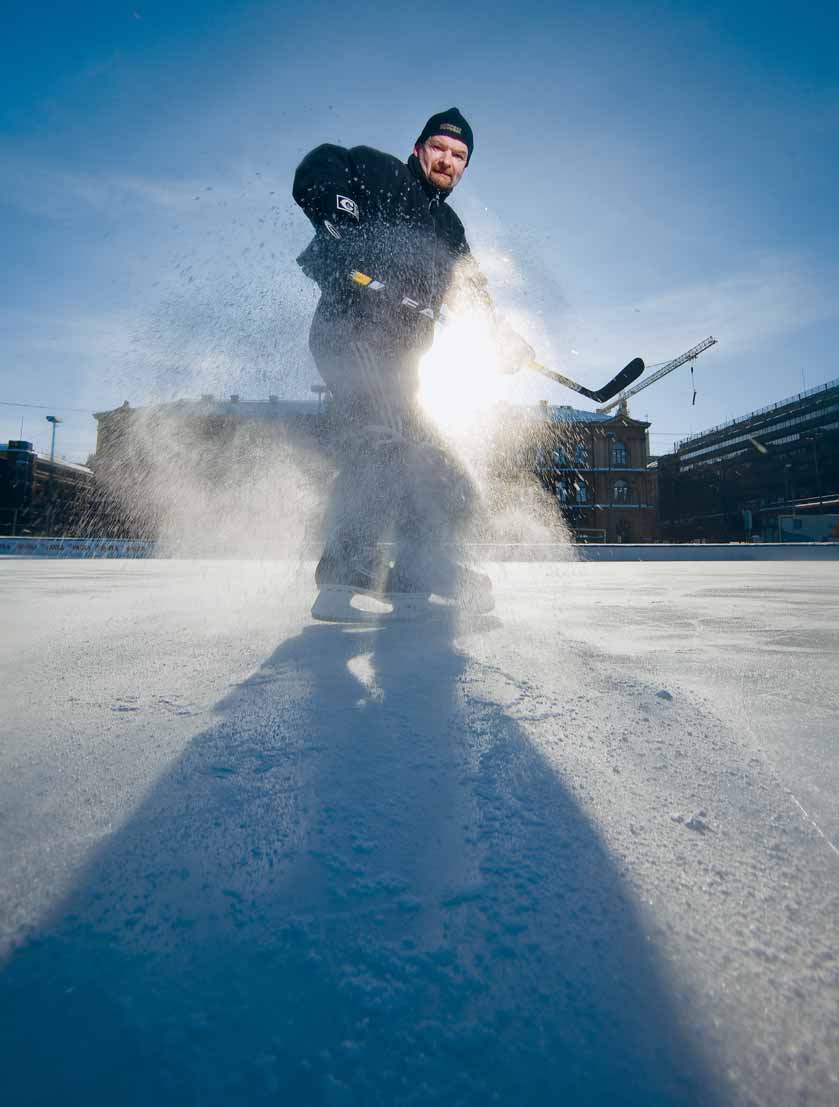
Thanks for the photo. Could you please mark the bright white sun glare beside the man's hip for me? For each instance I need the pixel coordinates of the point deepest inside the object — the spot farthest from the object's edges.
(459, 378)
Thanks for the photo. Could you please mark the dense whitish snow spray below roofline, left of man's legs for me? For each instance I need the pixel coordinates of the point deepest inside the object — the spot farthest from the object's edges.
(208, 482)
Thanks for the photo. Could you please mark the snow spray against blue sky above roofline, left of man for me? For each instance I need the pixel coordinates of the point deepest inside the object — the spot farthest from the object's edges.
(231, 309)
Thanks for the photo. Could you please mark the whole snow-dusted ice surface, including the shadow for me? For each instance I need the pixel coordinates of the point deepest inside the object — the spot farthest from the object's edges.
(583, 851)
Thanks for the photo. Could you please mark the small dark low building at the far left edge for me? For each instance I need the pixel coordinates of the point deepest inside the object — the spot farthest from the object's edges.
(38, 495)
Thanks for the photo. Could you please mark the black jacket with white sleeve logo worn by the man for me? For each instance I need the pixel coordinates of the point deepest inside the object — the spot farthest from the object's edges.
(376, 214)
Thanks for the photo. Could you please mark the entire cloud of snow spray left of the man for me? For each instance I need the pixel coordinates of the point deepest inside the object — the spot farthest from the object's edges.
(226, 315)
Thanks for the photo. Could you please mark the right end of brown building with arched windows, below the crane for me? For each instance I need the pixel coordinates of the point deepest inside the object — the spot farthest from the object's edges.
(598, 469)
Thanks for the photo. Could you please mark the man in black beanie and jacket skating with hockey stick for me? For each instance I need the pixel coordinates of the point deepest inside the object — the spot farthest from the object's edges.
(387, 253)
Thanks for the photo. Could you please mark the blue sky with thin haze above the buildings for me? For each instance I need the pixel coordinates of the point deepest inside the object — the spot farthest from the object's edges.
(645, 175)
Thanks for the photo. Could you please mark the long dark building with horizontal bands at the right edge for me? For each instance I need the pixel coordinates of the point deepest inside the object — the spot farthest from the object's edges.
(739, 480)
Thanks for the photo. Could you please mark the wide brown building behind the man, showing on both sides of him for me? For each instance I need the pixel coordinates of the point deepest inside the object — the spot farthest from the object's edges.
(152, 461)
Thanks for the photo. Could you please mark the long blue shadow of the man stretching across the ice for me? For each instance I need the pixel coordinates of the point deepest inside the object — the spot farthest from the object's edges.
(361, 886)
